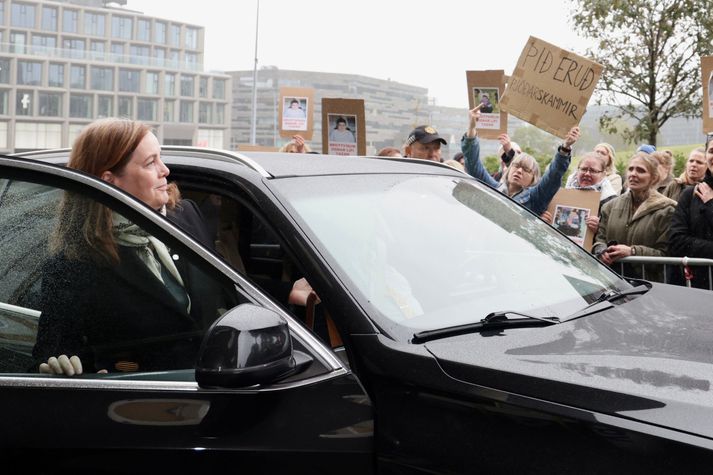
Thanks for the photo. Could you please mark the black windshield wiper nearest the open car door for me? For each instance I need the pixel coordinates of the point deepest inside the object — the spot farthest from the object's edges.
(491, 321)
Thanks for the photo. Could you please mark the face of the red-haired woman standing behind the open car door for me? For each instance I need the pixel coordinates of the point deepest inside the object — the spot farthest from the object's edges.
(144, 176)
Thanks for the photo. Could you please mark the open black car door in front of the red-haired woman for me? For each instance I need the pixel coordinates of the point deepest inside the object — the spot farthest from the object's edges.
(138, 415)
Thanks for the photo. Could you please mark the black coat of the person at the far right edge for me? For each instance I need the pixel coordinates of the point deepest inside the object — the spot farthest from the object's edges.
(691, 235)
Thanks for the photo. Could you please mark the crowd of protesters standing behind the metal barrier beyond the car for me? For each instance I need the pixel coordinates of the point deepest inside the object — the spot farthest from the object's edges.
(648, 212)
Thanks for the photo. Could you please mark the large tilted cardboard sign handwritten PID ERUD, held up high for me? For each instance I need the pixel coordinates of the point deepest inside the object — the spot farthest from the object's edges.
(550, 87)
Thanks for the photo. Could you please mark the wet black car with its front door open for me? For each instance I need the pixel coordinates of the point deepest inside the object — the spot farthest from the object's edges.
(457, 333)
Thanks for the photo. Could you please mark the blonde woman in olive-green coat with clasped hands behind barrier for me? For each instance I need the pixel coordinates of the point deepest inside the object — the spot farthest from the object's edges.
(636, 223)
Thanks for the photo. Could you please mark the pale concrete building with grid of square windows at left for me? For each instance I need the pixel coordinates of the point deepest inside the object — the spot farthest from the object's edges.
(66, 63)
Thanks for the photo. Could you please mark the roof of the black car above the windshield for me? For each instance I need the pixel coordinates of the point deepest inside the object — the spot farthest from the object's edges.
(280, 165)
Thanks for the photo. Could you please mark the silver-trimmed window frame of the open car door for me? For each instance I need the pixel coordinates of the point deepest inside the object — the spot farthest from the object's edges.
(59, 176)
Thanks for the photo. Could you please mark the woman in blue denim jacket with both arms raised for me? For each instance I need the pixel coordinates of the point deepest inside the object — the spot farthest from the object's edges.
(522, 181)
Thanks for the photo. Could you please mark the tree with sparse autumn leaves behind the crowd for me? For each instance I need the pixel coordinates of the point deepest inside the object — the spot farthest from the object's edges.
(651, 53)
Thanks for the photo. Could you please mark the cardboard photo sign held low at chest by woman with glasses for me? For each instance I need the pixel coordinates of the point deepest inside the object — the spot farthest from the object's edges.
(569, 210)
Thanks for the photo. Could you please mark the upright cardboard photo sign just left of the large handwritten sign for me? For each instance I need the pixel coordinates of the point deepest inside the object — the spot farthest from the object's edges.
(486, 88)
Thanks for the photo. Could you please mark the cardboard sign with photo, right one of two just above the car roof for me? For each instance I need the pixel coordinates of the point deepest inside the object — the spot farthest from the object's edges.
(343, 127)
